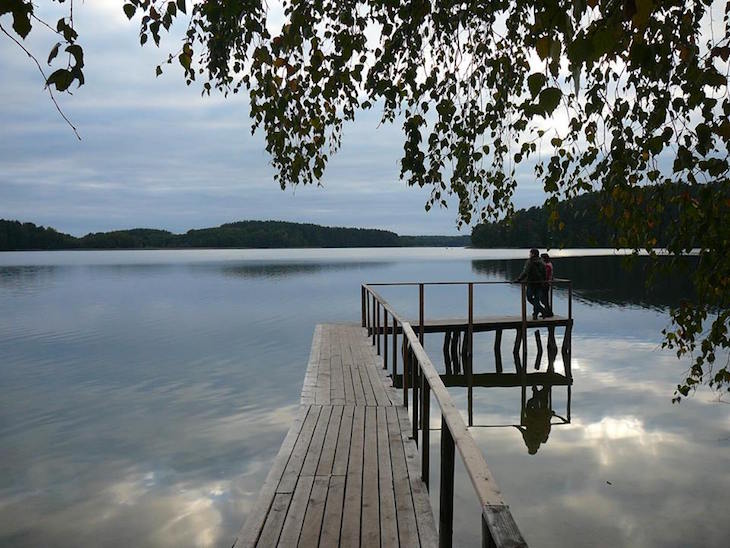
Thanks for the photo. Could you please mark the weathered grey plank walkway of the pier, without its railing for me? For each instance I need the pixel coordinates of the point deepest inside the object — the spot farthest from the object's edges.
(347, 473)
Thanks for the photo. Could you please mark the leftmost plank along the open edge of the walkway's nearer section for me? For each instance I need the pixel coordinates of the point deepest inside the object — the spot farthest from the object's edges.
(254, 523)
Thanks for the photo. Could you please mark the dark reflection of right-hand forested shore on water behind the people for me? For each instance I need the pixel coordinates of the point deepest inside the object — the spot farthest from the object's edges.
(606, 280)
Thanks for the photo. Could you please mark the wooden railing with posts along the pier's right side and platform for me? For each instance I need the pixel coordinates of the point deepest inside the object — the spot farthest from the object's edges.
(498, 526)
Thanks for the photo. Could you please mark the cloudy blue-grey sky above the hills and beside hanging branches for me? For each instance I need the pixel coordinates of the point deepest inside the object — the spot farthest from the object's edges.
(154, 153)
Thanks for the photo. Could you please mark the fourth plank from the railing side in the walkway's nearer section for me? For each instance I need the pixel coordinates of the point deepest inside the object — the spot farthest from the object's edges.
(370, 499)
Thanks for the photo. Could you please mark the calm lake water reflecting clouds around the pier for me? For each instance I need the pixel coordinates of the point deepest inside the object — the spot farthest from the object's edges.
(144, 394)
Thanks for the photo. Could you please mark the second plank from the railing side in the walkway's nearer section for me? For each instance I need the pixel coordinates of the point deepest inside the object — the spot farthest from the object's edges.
(406, 518)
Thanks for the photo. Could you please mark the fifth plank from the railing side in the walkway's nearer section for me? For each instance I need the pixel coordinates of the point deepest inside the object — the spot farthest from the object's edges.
(353, 487)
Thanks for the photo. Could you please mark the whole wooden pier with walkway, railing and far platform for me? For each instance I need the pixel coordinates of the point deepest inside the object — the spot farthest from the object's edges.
(349, 472)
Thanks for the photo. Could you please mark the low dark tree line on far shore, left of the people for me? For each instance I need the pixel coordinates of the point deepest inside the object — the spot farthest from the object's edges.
(15, 235)
